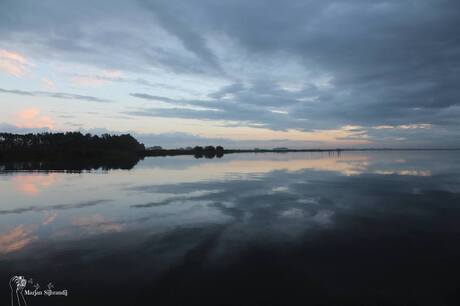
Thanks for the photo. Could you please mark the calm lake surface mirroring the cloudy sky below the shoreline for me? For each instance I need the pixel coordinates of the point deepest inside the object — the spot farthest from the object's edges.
(359, 228)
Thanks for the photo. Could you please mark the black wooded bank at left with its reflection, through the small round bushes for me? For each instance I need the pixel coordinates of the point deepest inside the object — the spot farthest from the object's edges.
(74, 151)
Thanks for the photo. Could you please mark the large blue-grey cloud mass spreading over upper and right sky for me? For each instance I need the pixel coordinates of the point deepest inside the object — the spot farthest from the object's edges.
(303, 65)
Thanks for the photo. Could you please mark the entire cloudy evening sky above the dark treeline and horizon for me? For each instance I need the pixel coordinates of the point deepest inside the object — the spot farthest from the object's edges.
(298, 73)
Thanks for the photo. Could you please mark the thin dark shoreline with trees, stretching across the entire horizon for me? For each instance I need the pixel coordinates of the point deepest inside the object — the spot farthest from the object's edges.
(125, 149)
